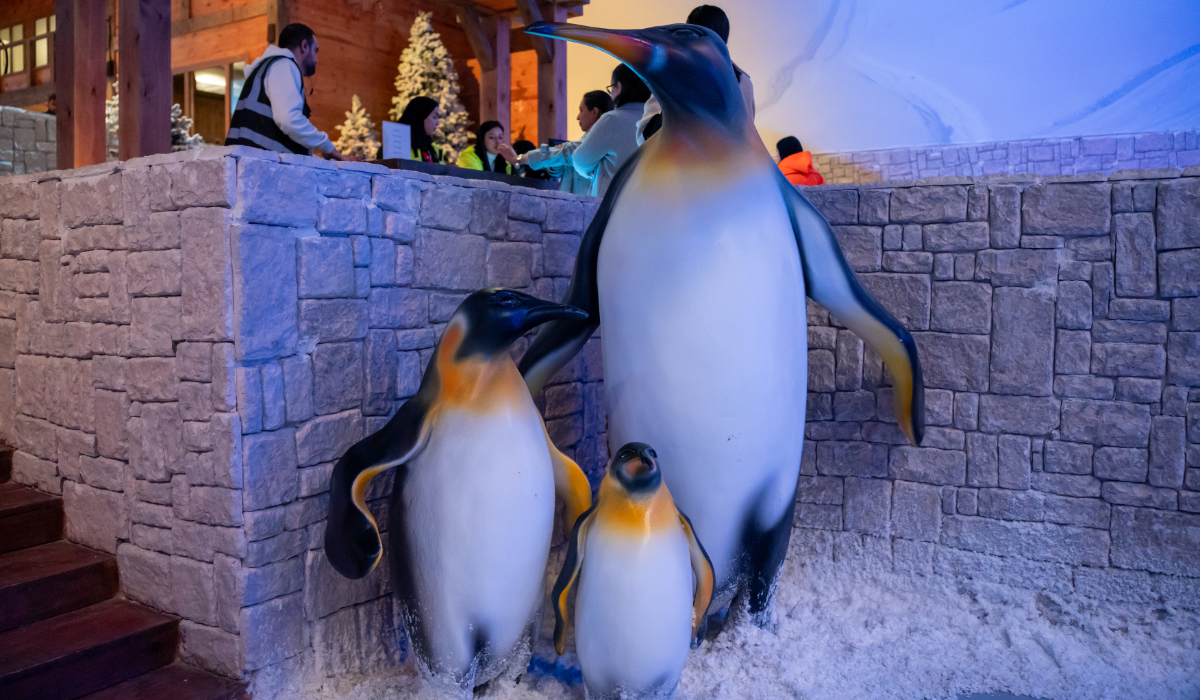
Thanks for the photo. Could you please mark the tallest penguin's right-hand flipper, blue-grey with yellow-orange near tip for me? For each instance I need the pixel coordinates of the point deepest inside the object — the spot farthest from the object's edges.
(830, 282)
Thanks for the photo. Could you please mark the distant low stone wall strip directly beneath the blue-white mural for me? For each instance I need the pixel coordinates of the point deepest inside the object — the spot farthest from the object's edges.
(1047, 157)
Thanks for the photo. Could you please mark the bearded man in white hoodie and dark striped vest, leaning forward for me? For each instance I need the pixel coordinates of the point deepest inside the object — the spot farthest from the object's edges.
(272, 111)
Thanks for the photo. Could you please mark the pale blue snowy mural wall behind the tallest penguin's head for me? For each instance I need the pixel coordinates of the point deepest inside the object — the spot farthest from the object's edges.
(862, 75)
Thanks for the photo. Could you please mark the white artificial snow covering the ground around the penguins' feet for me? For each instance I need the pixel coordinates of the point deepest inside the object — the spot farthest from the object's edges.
(848, 631)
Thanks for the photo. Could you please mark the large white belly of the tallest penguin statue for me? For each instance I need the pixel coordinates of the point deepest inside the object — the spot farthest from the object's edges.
(705, 337)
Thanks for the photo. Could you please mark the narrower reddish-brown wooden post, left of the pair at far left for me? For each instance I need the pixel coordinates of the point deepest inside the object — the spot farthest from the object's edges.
(91, 28)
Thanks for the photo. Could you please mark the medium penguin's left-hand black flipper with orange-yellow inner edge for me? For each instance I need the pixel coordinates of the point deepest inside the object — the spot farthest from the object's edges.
(352, 536)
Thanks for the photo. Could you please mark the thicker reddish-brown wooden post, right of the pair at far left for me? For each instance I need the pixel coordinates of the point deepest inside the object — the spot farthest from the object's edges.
(146, 92)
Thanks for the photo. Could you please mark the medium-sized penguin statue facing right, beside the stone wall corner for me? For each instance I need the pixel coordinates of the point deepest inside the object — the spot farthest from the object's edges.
(473, 504)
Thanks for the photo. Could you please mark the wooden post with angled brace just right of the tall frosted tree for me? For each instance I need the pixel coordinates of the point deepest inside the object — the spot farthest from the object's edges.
(489, 39)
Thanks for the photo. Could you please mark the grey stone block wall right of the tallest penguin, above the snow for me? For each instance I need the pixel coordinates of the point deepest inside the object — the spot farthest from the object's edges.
(1058, 326)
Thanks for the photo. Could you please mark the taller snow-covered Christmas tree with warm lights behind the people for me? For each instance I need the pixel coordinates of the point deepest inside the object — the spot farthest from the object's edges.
(427, 69)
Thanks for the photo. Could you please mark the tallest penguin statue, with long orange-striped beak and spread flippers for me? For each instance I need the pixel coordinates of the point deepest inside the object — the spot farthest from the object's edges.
(698, 265)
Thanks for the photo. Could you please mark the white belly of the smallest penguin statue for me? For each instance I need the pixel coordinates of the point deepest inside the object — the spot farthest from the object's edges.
(633, 613)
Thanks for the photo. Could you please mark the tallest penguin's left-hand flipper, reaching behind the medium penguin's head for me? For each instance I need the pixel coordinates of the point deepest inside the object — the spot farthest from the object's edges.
(560, 340)
